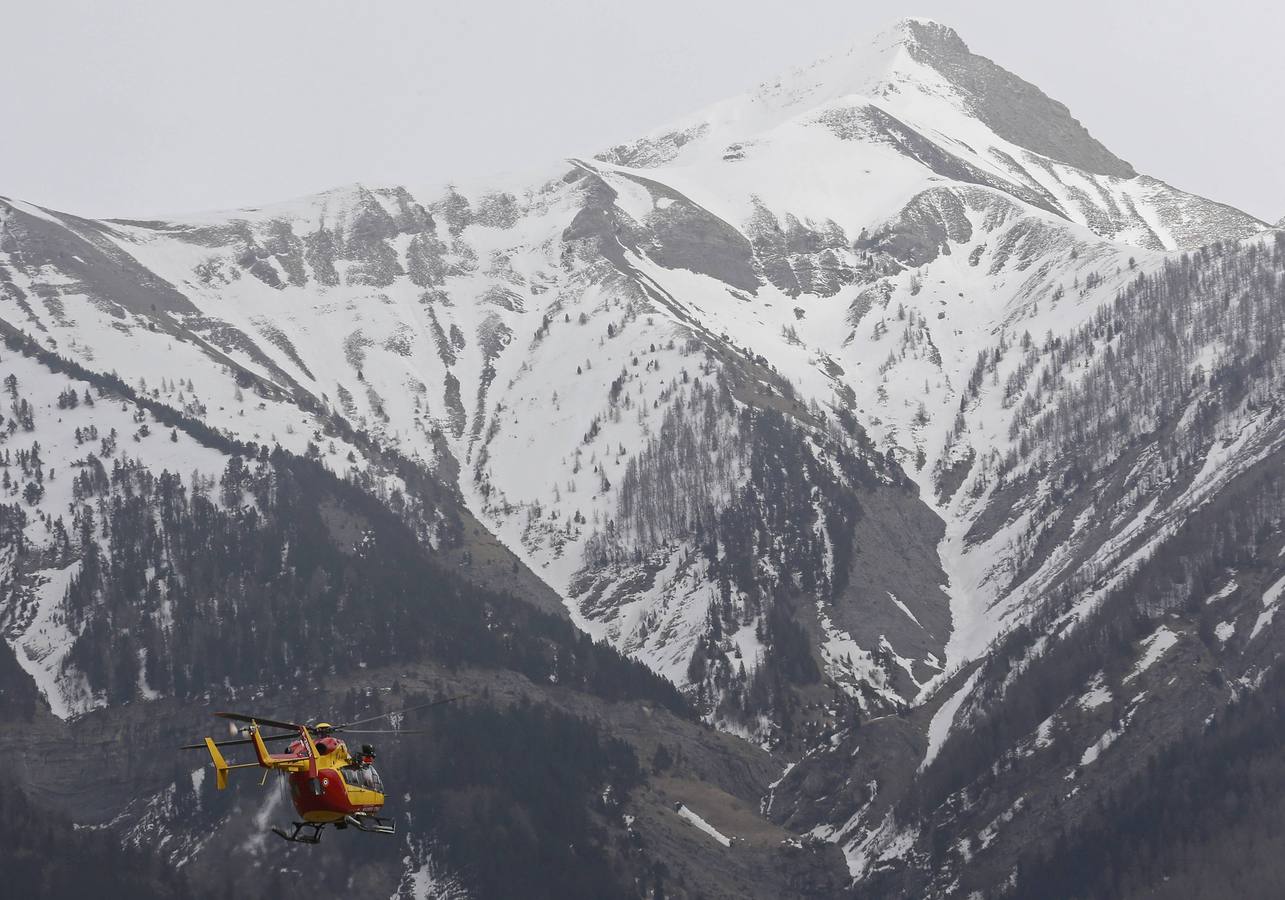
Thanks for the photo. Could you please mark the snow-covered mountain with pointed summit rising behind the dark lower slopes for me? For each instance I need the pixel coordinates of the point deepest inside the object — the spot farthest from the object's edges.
(823, 402)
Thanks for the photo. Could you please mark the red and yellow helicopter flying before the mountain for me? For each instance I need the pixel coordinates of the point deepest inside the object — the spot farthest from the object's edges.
(330, 785)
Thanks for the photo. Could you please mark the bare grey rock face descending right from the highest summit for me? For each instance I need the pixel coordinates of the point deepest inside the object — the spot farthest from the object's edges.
(1013, 109)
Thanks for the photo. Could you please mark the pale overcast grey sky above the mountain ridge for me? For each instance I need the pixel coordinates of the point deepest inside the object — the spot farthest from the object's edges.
(151, 107)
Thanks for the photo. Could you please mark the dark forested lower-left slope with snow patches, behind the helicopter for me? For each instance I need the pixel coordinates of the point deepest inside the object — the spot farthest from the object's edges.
(256, 580)
